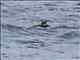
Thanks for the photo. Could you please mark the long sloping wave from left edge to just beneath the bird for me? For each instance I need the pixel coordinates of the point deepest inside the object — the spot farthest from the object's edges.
(27, 31)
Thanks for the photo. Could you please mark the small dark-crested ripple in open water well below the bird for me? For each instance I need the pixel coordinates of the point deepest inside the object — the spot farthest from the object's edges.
(32, 44)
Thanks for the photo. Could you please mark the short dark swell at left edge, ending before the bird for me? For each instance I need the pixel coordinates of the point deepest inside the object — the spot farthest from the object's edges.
(16, 29)
